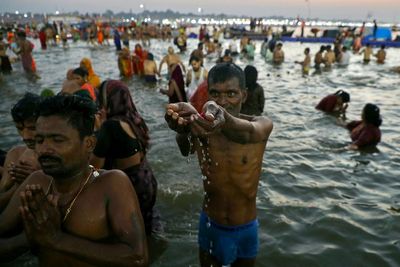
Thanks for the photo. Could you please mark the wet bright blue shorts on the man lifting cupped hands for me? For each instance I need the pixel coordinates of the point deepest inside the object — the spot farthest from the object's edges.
(228, 243)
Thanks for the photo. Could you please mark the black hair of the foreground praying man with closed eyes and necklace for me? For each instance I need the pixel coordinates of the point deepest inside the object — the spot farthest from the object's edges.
(78, 111)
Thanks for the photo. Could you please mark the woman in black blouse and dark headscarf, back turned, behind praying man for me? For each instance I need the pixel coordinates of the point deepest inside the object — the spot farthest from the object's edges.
(122, 143)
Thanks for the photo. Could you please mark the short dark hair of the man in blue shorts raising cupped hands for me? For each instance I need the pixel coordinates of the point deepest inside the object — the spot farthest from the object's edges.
(223, 72)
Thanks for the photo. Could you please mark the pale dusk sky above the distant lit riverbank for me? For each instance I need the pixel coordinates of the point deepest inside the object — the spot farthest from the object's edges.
(382, 10)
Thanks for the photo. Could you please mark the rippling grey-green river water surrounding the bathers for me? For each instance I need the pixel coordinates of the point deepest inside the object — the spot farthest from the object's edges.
(318, 204)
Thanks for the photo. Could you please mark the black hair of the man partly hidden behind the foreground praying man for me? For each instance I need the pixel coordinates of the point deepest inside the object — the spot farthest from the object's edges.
(26, 108)
